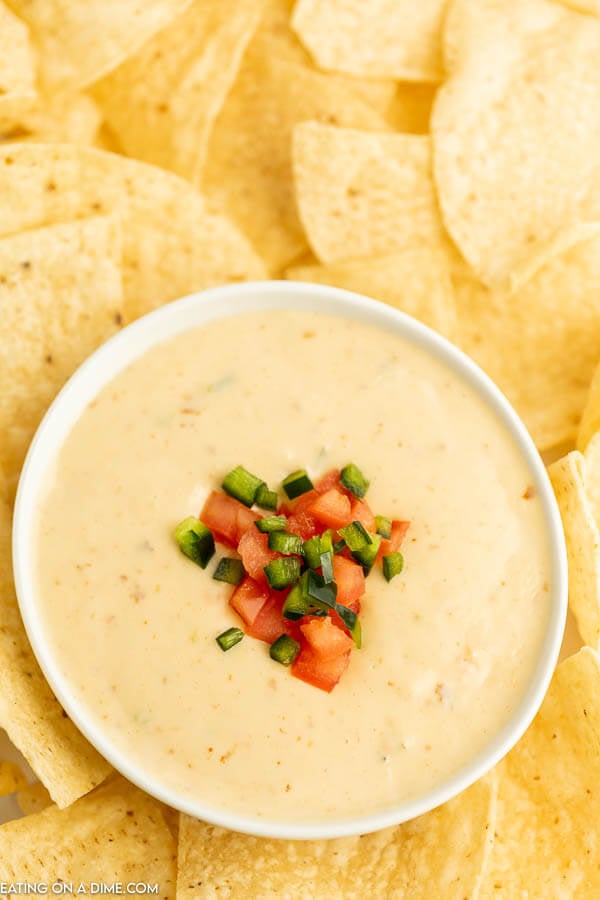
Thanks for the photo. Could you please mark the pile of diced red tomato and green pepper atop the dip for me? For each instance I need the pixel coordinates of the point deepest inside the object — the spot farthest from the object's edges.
(302, 569)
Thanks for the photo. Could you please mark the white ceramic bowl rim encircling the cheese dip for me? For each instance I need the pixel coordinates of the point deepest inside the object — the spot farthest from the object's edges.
(196, 310)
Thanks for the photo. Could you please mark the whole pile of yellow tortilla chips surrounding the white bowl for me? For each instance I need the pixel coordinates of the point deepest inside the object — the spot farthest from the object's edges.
(442, 156)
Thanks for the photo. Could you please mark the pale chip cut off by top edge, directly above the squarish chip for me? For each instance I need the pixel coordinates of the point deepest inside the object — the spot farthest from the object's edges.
(397, 39)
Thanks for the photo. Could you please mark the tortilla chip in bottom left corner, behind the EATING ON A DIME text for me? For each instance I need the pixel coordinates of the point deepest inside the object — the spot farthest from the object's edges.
(117, 833)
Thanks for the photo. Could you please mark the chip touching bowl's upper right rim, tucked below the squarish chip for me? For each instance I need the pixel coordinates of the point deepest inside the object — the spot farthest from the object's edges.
(416, 282)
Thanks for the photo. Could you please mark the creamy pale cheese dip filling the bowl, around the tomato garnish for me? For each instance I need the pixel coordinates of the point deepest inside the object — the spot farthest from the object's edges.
(448, 646)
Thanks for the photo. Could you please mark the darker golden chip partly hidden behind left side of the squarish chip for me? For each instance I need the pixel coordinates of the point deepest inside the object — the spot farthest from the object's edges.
(248, 171)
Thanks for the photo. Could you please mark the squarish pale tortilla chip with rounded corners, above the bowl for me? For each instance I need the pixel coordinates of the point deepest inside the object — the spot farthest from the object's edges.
(362, 194)
